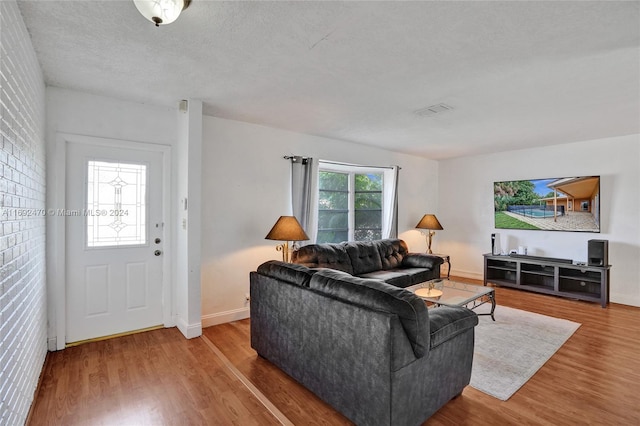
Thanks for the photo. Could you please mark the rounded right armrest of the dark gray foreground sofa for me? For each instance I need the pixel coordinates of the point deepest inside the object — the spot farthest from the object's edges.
(446, 322)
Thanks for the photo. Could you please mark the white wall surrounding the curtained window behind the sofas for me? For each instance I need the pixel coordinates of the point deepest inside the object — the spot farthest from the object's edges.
(246, 187)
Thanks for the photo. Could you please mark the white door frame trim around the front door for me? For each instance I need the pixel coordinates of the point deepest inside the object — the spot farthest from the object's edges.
(56, 272)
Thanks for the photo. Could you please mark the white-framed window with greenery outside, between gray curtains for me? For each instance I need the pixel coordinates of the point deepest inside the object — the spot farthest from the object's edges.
(352, 205)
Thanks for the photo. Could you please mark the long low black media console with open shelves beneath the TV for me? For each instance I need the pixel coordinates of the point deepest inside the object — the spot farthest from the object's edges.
(559, 277)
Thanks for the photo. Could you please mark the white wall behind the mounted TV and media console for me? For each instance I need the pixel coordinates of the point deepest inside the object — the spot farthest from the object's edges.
(466, 207)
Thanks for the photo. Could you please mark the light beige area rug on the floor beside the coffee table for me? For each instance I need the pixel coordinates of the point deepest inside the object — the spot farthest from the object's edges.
(509, 351)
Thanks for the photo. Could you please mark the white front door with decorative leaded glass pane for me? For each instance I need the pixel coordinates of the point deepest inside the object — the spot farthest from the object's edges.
(114, 240)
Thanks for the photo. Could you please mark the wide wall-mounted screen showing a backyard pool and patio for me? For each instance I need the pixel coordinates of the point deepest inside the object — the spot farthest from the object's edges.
(556, 204)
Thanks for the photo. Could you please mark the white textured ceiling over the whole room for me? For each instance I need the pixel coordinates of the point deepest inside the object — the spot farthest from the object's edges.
(518, 74)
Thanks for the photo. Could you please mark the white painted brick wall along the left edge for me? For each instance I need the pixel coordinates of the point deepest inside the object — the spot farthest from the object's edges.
(23, 324)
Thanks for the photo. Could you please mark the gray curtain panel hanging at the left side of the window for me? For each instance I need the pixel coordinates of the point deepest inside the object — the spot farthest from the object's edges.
(301, 194)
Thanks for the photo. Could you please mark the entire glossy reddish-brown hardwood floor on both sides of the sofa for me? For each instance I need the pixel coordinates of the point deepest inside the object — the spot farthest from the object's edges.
(158, 377)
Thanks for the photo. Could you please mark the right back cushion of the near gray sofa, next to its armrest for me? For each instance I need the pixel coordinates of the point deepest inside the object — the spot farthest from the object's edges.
(379, 296)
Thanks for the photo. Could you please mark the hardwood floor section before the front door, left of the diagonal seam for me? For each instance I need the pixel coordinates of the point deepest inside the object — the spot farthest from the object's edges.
(152, 378)
